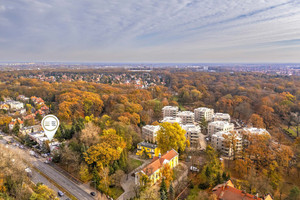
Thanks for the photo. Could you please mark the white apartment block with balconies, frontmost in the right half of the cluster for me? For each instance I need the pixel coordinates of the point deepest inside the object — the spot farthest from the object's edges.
(219, 142)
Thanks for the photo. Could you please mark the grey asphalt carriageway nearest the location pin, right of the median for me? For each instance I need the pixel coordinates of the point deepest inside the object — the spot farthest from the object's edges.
(77, 190)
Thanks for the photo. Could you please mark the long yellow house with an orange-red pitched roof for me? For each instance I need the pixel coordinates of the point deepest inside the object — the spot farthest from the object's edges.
(153, 169)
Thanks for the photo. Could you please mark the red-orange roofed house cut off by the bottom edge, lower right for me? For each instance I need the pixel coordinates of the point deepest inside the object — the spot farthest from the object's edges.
(227, 191)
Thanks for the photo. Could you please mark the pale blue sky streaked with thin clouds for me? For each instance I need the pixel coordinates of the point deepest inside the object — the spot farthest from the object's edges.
(150, 30)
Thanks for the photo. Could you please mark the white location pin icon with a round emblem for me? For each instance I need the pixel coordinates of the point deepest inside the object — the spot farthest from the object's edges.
(50, 124)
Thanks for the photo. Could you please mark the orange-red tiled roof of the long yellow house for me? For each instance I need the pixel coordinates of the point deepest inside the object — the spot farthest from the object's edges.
(157, 163)
